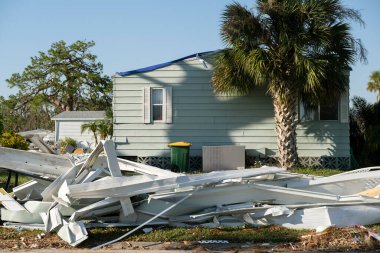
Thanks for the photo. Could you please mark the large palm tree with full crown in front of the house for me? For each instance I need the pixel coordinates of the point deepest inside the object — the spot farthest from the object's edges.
(296, 48)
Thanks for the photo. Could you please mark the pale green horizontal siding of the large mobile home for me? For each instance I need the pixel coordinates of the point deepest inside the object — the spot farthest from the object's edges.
(203, 118)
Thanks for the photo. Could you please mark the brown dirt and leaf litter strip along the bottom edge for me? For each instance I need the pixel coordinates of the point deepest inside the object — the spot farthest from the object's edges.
(332, 239)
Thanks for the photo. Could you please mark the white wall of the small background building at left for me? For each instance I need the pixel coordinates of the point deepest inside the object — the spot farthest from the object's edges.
(72, 129)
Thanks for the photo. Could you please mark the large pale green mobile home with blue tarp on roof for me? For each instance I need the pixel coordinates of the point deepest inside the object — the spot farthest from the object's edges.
(175, 101)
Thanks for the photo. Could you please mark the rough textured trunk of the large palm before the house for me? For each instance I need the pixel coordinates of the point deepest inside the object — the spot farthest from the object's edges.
(285, 110)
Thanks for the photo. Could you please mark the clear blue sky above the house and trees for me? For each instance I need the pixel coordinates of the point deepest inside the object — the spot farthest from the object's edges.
(131, 34)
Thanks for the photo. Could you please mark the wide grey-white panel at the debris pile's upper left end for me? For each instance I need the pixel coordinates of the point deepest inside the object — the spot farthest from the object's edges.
(33, 164)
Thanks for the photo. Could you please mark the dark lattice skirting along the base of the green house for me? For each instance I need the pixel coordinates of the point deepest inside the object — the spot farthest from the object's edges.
(314, 162)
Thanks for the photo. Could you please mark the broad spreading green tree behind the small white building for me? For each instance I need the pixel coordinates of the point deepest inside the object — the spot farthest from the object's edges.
(68, 77)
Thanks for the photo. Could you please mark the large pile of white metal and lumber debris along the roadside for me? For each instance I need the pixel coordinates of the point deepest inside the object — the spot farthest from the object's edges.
(103, 191)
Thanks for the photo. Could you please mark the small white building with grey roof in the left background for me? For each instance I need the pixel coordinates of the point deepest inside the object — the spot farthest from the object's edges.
(68, 124)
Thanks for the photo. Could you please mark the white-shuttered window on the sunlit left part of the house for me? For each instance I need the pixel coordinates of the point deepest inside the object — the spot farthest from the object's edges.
(157, 105)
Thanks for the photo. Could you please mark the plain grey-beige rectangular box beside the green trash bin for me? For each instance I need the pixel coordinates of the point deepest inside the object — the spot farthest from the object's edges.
(228, 157)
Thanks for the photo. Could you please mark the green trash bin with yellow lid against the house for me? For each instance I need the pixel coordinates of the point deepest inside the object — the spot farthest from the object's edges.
(180, 156)
